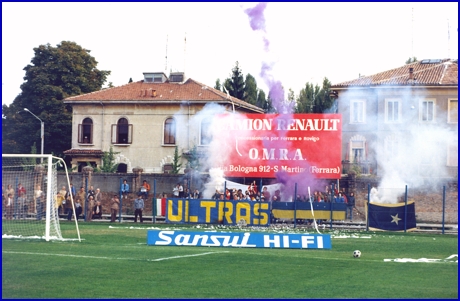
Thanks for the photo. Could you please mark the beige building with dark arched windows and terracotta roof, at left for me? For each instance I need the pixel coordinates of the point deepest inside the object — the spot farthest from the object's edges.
(144, 121)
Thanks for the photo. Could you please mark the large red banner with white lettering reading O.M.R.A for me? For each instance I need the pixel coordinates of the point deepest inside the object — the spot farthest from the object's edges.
(255, 145)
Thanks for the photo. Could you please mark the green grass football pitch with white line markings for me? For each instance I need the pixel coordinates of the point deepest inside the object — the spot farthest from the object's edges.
(115, 262)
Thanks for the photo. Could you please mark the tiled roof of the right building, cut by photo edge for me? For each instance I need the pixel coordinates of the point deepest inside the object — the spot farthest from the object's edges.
(439, 72)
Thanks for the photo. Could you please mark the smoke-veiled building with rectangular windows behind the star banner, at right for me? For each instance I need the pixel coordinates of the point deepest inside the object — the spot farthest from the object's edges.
(405, 119)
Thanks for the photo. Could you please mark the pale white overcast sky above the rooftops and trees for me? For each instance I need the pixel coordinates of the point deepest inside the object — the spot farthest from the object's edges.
(303, 42)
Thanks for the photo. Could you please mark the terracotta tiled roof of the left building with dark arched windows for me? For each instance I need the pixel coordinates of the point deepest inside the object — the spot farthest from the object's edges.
(165, 93)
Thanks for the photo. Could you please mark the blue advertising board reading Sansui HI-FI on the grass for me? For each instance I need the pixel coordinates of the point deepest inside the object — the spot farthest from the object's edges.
(238, 240)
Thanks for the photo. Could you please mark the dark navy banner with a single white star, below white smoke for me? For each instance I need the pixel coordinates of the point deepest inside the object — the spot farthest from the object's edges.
(392, 217)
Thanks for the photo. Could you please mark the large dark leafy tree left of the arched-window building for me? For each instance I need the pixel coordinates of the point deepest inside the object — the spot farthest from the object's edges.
(54, 74)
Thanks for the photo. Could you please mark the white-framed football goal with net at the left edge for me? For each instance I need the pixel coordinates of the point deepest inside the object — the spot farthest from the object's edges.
(30, 198)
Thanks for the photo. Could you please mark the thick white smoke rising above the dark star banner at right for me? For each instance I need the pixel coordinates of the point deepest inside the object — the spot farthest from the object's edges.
(412, 152)
